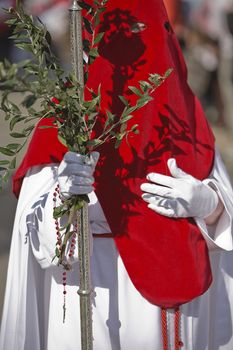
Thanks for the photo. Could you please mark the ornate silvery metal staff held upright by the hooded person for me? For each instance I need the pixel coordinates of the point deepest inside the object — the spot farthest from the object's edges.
(85, 288)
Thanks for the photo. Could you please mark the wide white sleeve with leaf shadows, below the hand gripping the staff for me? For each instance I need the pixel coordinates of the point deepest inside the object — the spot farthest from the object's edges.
(36, 219)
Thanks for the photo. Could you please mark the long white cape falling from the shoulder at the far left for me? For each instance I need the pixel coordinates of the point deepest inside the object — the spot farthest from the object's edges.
(23, 272)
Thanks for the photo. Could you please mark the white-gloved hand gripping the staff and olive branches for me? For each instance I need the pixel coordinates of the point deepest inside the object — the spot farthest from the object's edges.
(75, 173)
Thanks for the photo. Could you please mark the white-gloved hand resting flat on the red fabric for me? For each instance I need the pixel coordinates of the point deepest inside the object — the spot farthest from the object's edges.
(180, 196)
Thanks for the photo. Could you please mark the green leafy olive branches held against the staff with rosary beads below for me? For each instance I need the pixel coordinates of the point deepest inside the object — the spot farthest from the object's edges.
(42, 82)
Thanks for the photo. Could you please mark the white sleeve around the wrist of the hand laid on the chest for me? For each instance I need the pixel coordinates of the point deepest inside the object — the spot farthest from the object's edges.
(219, 236)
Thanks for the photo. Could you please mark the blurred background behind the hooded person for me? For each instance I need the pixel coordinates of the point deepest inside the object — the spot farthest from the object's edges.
(205, 32)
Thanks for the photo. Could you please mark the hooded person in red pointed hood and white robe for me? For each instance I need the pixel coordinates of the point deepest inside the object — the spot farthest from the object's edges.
(160, 209)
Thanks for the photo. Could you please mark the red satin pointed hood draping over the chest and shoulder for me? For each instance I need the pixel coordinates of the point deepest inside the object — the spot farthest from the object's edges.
(166, 259)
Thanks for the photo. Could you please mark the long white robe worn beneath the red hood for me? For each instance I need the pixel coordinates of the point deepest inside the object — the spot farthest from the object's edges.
(122, 319)
